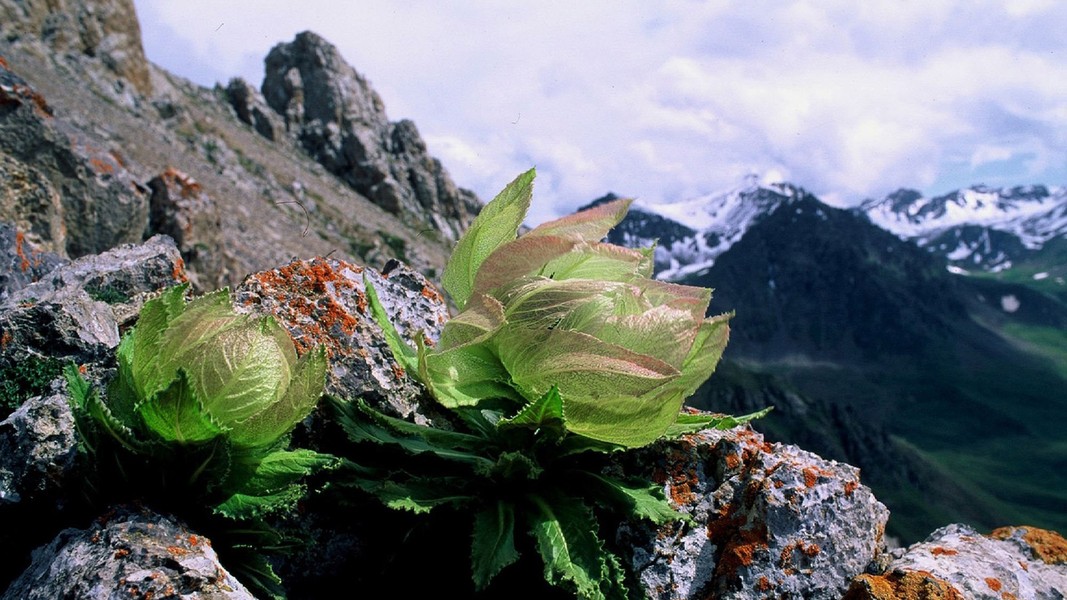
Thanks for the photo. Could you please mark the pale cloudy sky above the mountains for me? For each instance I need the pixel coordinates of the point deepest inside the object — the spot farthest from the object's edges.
(671, 100)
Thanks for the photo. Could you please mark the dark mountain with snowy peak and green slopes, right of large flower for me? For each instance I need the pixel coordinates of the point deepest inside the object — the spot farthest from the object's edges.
(875, 354)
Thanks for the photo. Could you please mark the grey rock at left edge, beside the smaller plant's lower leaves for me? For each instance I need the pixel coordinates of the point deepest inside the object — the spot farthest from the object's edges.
(39, 450)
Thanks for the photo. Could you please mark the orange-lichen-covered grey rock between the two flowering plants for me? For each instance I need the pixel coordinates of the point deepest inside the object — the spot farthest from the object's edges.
(324, 303)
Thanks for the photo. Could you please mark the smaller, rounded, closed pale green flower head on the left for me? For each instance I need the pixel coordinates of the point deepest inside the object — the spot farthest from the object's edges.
(194, 372)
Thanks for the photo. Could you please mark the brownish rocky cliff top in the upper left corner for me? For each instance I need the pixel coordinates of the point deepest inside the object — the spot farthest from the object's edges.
(107, 30)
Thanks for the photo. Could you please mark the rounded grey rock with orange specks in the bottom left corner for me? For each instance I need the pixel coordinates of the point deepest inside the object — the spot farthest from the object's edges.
(128, 556)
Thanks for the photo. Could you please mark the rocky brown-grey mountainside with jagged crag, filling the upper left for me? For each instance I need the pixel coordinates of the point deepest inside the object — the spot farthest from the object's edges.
(244, 178)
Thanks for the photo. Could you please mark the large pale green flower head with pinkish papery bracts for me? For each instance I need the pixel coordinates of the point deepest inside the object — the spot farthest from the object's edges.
(558, 308)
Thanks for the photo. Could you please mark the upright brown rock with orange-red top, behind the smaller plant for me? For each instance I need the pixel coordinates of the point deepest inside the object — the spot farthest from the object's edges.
(180, 209)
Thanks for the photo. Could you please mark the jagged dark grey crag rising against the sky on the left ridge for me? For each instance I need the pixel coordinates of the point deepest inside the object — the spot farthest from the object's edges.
(341, 121)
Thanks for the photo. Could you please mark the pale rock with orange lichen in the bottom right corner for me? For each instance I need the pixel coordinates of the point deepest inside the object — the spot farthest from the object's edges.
(957, 562)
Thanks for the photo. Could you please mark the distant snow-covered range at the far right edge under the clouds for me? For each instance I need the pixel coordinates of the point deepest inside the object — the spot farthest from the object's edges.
(979, 228)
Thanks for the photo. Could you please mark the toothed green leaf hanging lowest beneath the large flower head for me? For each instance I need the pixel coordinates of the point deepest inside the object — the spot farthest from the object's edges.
(566, 534)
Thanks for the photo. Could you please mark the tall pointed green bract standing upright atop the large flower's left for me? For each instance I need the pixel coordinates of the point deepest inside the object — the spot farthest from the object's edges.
(497, 225)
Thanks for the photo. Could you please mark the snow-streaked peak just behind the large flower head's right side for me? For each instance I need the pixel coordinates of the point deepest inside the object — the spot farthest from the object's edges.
(692, 234)
